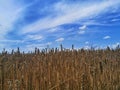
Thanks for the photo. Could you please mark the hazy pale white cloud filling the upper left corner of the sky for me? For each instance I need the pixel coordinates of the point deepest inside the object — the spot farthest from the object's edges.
(10, 12)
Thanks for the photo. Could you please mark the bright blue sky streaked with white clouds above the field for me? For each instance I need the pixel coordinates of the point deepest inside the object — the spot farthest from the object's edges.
(38, 23)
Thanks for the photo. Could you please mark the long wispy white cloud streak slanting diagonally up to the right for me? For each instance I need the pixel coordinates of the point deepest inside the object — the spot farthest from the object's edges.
(70, 13)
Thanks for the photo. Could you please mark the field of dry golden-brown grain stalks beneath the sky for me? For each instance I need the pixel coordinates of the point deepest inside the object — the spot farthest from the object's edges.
(62, 69)
